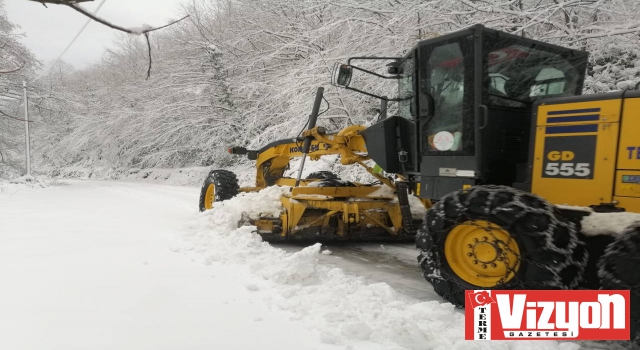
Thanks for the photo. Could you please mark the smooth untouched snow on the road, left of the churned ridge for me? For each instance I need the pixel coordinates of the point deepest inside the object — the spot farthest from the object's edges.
(88, 266)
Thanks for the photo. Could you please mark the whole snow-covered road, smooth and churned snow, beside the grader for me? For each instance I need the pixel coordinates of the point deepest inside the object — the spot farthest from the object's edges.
(111, 265)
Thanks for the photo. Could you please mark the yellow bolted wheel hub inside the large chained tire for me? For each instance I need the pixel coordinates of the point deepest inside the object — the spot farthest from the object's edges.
(482, 253)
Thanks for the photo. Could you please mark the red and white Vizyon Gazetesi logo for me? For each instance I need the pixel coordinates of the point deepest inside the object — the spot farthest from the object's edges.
(547, 314)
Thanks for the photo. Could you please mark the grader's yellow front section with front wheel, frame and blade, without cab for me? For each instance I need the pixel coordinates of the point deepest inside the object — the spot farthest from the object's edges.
(321, 206)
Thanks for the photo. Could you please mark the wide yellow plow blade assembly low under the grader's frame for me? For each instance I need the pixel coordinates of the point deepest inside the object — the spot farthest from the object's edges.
(370, 213)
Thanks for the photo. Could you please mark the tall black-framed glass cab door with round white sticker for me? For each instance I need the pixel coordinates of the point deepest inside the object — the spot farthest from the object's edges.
(447, 127)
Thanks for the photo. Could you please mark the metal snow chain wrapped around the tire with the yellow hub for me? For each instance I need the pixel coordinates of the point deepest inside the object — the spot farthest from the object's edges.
(430, 255)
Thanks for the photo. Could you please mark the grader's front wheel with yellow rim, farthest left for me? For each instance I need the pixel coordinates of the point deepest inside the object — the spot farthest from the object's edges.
(218, 186)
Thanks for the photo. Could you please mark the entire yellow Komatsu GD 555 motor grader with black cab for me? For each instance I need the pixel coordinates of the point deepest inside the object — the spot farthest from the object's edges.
(493, 130)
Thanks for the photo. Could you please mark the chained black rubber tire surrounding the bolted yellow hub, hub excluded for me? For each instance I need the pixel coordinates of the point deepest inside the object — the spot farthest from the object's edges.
(551, 255)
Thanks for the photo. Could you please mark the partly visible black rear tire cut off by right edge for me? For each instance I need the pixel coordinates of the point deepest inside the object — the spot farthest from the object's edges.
(619, 268)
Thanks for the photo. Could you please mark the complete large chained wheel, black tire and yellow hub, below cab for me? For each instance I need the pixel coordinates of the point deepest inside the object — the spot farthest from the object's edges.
(495, 237)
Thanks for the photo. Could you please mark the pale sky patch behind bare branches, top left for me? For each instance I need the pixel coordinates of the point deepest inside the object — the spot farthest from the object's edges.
(49, 30)
